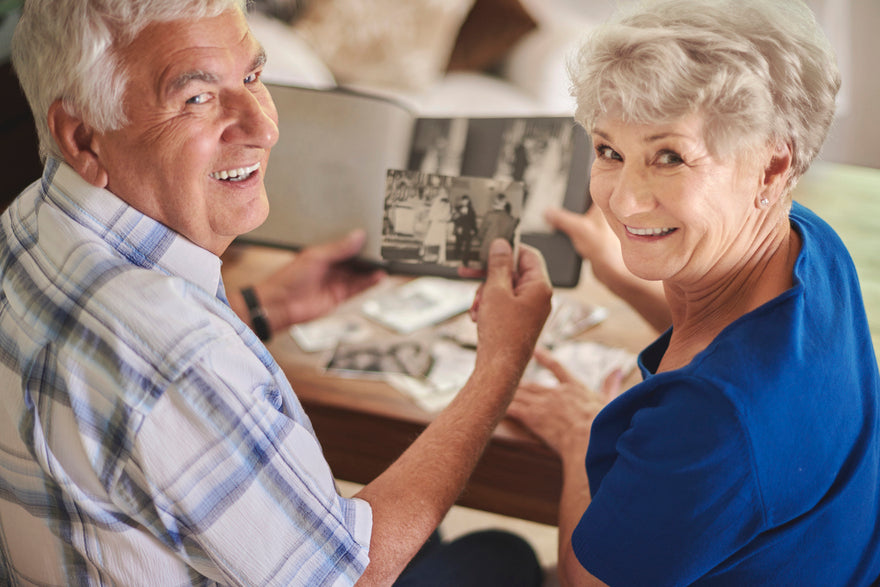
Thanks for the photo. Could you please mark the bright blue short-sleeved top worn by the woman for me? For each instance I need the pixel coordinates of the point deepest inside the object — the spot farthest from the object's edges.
(759, 462)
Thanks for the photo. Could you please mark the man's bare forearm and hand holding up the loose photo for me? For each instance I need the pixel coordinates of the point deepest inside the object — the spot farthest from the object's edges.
(413, 495)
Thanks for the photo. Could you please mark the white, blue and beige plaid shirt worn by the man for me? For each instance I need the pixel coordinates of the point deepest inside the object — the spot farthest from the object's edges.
(146, 436)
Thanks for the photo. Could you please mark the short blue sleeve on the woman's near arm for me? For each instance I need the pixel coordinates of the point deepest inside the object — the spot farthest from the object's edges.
(680, 495)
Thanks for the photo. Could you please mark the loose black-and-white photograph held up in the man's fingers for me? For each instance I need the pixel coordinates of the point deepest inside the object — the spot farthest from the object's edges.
(448, 221)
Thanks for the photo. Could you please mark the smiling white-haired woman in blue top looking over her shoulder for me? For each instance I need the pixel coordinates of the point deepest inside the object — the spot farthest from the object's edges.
(750, 452)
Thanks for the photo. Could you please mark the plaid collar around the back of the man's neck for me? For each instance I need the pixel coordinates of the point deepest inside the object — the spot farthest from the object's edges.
(140, 239)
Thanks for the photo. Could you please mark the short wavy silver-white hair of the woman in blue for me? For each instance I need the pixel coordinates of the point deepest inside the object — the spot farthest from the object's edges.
(761, 71)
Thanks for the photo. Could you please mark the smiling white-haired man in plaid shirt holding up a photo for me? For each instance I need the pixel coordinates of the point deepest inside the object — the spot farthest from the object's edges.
(146, 434)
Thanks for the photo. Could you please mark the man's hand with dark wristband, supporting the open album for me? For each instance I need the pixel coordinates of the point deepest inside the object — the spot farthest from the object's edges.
(317, 280)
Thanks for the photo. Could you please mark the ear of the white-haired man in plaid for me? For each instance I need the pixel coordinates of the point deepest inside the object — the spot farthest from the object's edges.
(75, 139)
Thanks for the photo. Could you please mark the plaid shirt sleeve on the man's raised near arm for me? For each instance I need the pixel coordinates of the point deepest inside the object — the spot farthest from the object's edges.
(240, 490)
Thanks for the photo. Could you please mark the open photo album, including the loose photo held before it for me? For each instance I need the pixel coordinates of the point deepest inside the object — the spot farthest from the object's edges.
(431, 193)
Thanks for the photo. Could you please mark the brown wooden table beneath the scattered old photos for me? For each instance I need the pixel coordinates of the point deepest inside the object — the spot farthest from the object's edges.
(364, 425)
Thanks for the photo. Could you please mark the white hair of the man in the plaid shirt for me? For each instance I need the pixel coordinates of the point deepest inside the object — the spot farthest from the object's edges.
(69, 50)
